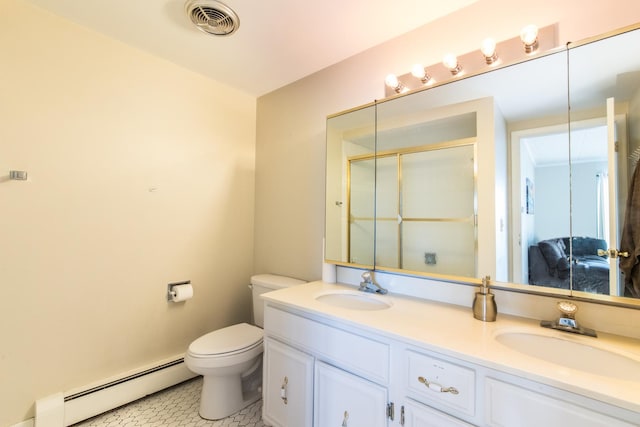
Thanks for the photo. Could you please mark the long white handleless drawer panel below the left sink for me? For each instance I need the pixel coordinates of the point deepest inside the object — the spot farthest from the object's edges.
(355, 353)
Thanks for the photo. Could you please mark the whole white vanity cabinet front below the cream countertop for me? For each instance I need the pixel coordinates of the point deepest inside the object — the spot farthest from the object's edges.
(331, 371)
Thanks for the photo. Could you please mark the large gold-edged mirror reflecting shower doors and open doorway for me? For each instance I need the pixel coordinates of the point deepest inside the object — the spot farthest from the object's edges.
(511, 173)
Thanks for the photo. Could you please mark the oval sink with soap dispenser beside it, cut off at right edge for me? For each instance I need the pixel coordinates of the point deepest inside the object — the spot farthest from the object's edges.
(573, 354)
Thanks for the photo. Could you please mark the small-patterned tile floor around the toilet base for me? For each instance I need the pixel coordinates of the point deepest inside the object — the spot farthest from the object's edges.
(175, 407)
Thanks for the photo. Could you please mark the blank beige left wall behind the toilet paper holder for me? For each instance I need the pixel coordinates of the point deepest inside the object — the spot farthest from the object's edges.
(140, 173)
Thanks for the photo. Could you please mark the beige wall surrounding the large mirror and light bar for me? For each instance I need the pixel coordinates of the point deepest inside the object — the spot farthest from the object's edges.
(291, 120)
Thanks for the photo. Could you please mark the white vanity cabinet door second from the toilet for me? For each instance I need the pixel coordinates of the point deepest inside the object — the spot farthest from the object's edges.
(345, 400)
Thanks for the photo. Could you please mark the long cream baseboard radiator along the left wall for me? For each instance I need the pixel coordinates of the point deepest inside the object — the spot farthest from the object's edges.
(97, 399)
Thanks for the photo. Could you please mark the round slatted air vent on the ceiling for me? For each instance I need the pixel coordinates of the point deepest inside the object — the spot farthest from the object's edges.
(212, 17)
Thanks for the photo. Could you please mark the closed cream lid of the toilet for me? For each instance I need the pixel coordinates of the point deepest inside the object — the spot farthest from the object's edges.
(227, 340)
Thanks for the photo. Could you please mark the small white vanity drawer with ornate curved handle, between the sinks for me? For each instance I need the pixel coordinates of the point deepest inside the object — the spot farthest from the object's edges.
(433, 381)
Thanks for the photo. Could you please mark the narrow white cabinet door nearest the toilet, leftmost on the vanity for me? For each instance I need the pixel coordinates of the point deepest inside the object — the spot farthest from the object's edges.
(287, 386)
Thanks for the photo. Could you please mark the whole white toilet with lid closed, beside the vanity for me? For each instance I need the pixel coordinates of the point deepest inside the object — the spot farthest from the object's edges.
(230, 359)
